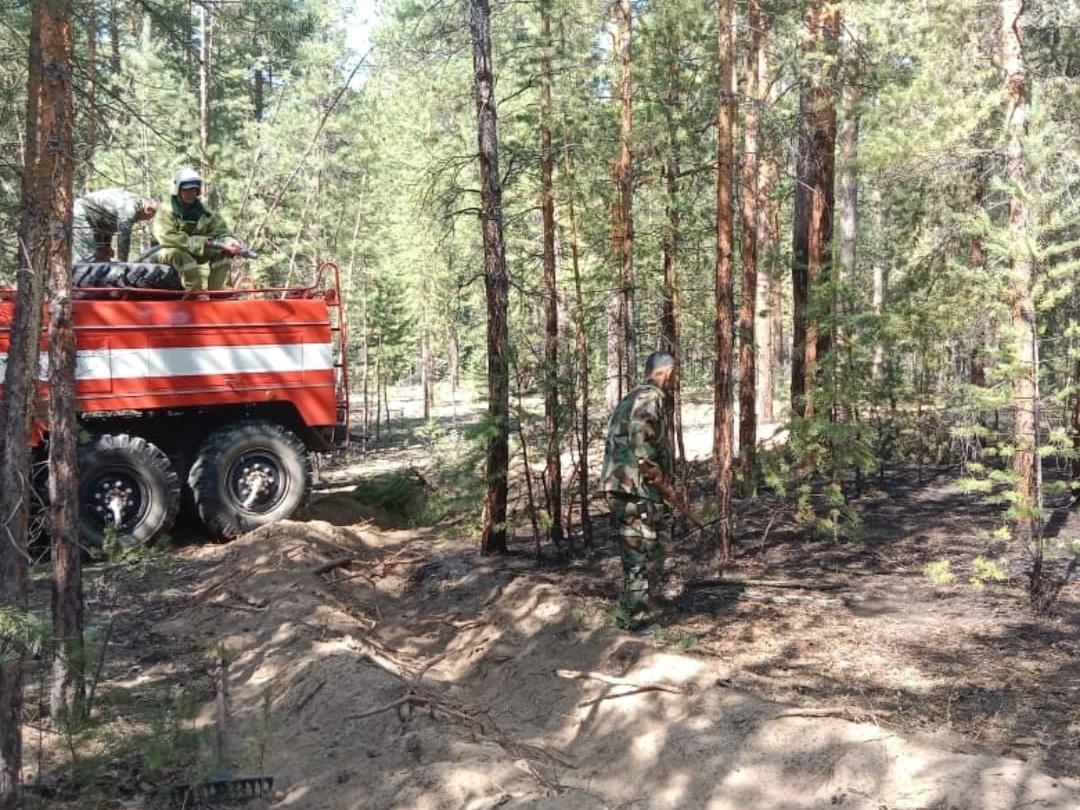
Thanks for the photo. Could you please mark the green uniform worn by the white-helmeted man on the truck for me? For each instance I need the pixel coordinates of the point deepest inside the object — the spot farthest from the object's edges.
(185, 236)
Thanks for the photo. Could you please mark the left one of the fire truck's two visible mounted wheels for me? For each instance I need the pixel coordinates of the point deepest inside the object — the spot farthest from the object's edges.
(127, 485)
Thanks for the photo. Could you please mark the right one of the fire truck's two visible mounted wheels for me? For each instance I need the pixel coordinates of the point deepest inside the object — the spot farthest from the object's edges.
(249, 475)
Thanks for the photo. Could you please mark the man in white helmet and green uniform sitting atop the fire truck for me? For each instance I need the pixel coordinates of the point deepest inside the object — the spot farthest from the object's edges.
(191, 236)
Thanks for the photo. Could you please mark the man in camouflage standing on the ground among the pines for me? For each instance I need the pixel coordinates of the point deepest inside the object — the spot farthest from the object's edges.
(639, 463)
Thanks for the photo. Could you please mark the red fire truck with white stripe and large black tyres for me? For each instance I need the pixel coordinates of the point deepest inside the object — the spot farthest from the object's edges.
(223, 402)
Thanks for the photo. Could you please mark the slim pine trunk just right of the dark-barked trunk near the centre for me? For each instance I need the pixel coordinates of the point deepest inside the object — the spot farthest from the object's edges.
(553, 470)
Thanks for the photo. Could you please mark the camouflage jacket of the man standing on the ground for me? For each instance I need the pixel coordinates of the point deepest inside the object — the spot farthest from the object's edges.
(638, 430)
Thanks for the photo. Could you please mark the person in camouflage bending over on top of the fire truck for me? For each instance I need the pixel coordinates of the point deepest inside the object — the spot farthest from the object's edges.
(103, 214)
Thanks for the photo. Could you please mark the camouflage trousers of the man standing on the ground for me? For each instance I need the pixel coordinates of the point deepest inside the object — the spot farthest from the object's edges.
(644, 530)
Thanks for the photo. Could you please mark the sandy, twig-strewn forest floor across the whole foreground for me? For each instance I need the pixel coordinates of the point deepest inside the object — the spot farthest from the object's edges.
(372, 666)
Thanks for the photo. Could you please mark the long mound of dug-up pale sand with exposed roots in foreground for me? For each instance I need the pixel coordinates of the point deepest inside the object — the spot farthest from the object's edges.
(384, 671)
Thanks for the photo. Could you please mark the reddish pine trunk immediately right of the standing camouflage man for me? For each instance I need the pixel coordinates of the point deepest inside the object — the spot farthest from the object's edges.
(724, 417)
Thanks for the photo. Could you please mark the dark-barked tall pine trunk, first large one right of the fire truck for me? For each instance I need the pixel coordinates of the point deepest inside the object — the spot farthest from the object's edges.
(496, 285)
